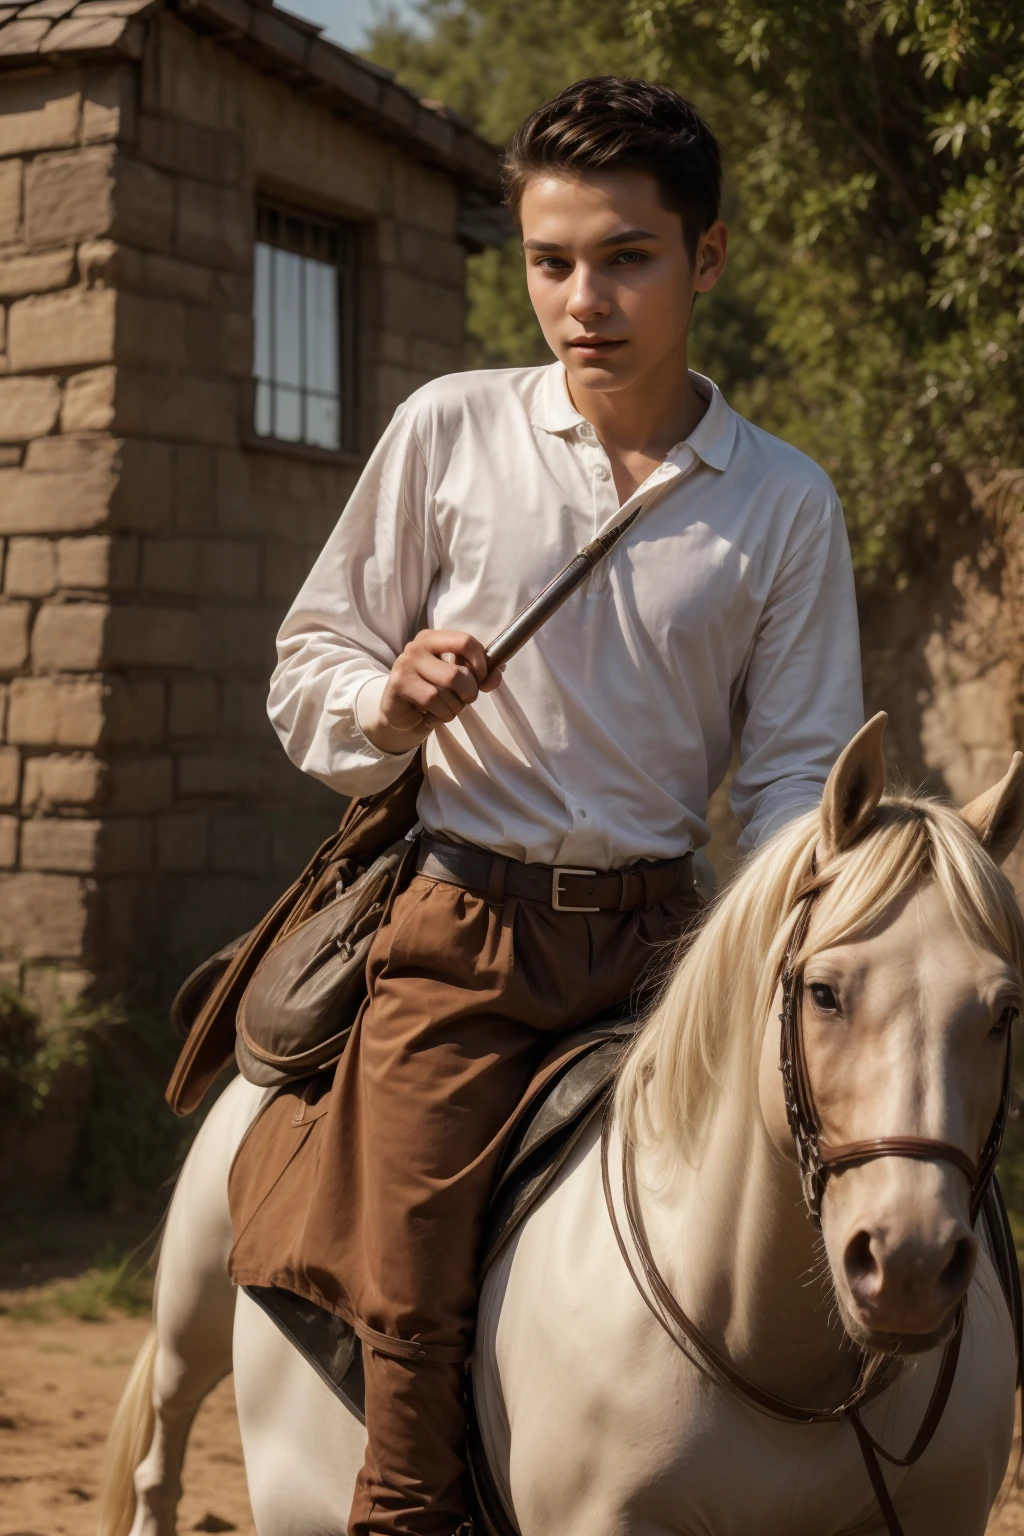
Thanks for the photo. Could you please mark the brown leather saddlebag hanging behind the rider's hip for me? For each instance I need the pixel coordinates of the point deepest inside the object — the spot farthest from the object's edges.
(208, 1004)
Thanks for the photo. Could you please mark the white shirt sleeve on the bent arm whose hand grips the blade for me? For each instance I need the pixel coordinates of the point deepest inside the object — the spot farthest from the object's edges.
(352, 618)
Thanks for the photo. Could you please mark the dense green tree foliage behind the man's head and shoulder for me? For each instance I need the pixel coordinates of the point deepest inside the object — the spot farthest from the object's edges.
(876, 294)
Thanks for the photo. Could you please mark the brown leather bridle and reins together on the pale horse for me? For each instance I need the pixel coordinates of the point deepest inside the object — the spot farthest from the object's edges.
(818, 1160)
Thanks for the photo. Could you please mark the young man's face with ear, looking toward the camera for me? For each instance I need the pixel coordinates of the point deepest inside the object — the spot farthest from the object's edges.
(610, 274)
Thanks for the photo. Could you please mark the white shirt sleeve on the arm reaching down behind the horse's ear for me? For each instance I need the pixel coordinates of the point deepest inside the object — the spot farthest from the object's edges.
(802, 694)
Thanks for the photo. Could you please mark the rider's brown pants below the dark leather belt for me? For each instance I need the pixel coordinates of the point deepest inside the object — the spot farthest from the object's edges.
(466, 1001)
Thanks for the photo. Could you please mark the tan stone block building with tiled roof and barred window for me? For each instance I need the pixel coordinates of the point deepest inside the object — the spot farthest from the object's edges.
(228, 251)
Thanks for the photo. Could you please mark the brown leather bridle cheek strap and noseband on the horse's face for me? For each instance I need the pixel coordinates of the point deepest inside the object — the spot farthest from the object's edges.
(818, 1159)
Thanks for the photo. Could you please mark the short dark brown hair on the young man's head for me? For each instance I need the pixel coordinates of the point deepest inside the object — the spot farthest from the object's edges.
(618, 124)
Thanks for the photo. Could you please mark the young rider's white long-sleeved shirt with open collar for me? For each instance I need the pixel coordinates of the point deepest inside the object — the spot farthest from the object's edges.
(732, 592)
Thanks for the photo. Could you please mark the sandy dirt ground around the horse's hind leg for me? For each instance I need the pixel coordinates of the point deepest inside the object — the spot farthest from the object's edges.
(59, 1385)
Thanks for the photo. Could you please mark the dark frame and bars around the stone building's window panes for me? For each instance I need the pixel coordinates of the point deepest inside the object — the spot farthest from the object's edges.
(346, 265)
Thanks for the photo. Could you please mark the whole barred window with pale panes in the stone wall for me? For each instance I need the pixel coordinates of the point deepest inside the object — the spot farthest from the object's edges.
(305, 320)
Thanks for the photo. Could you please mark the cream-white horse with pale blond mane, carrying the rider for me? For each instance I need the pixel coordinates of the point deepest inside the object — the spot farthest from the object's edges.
(595, 1422)
